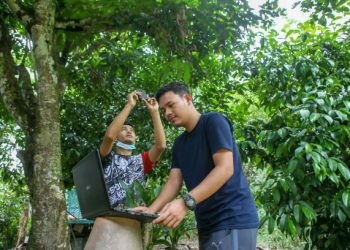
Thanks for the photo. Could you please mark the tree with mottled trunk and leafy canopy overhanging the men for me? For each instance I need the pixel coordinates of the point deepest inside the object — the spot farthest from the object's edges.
(44, 50)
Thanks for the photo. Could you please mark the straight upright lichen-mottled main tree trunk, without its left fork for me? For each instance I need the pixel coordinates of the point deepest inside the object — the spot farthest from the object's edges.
(49, 220)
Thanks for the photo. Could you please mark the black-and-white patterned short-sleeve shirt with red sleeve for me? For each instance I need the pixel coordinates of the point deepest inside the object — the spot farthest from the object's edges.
(122, 170)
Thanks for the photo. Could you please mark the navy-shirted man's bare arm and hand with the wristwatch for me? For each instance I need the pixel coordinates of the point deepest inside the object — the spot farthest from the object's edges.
(174, 212)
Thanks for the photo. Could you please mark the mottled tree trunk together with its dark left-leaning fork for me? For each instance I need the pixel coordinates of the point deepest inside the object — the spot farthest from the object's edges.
(37, 113)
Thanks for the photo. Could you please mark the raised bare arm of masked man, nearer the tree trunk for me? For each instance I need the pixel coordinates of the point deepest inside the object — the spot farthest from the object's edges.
(116, 125)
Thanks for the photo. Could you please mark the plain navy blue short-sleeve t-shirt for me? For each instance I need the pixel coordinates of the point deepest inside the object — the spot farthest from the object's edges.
(232, 206)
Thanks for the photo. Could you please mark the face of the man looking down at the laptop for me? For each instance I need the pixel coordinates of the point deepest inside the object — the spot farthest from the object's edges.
(175, 107)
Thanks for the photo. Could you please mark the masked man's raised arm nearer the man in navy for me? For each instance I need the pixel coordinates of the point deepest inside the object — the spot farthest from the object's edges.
(159, 137)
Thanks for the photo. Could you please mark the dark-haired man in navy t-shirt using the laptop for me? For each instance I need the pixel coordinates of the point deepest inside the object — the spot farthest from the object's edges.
(207, 159)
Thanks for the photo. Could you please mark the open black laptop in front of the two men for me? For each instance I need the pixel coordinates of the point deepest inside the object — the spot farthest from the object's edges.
(92, 192)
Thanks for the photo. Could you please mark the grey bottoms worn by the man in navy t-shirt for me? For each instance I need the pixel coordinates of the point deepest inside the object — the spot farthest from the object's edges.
(229, 239)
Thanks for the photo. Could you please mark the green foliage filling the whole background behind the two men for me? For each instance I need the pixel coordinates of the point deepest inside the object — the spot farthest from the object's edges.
(289, 99)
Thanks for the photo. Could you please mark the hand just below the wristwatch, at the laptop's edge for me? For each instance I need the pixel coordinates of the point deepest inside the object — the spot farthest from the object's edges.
(172, 214)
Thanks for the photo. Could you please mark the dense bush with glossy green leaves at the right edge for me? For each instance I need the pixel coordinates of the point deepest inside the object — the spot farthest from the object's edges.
(304, 85)
